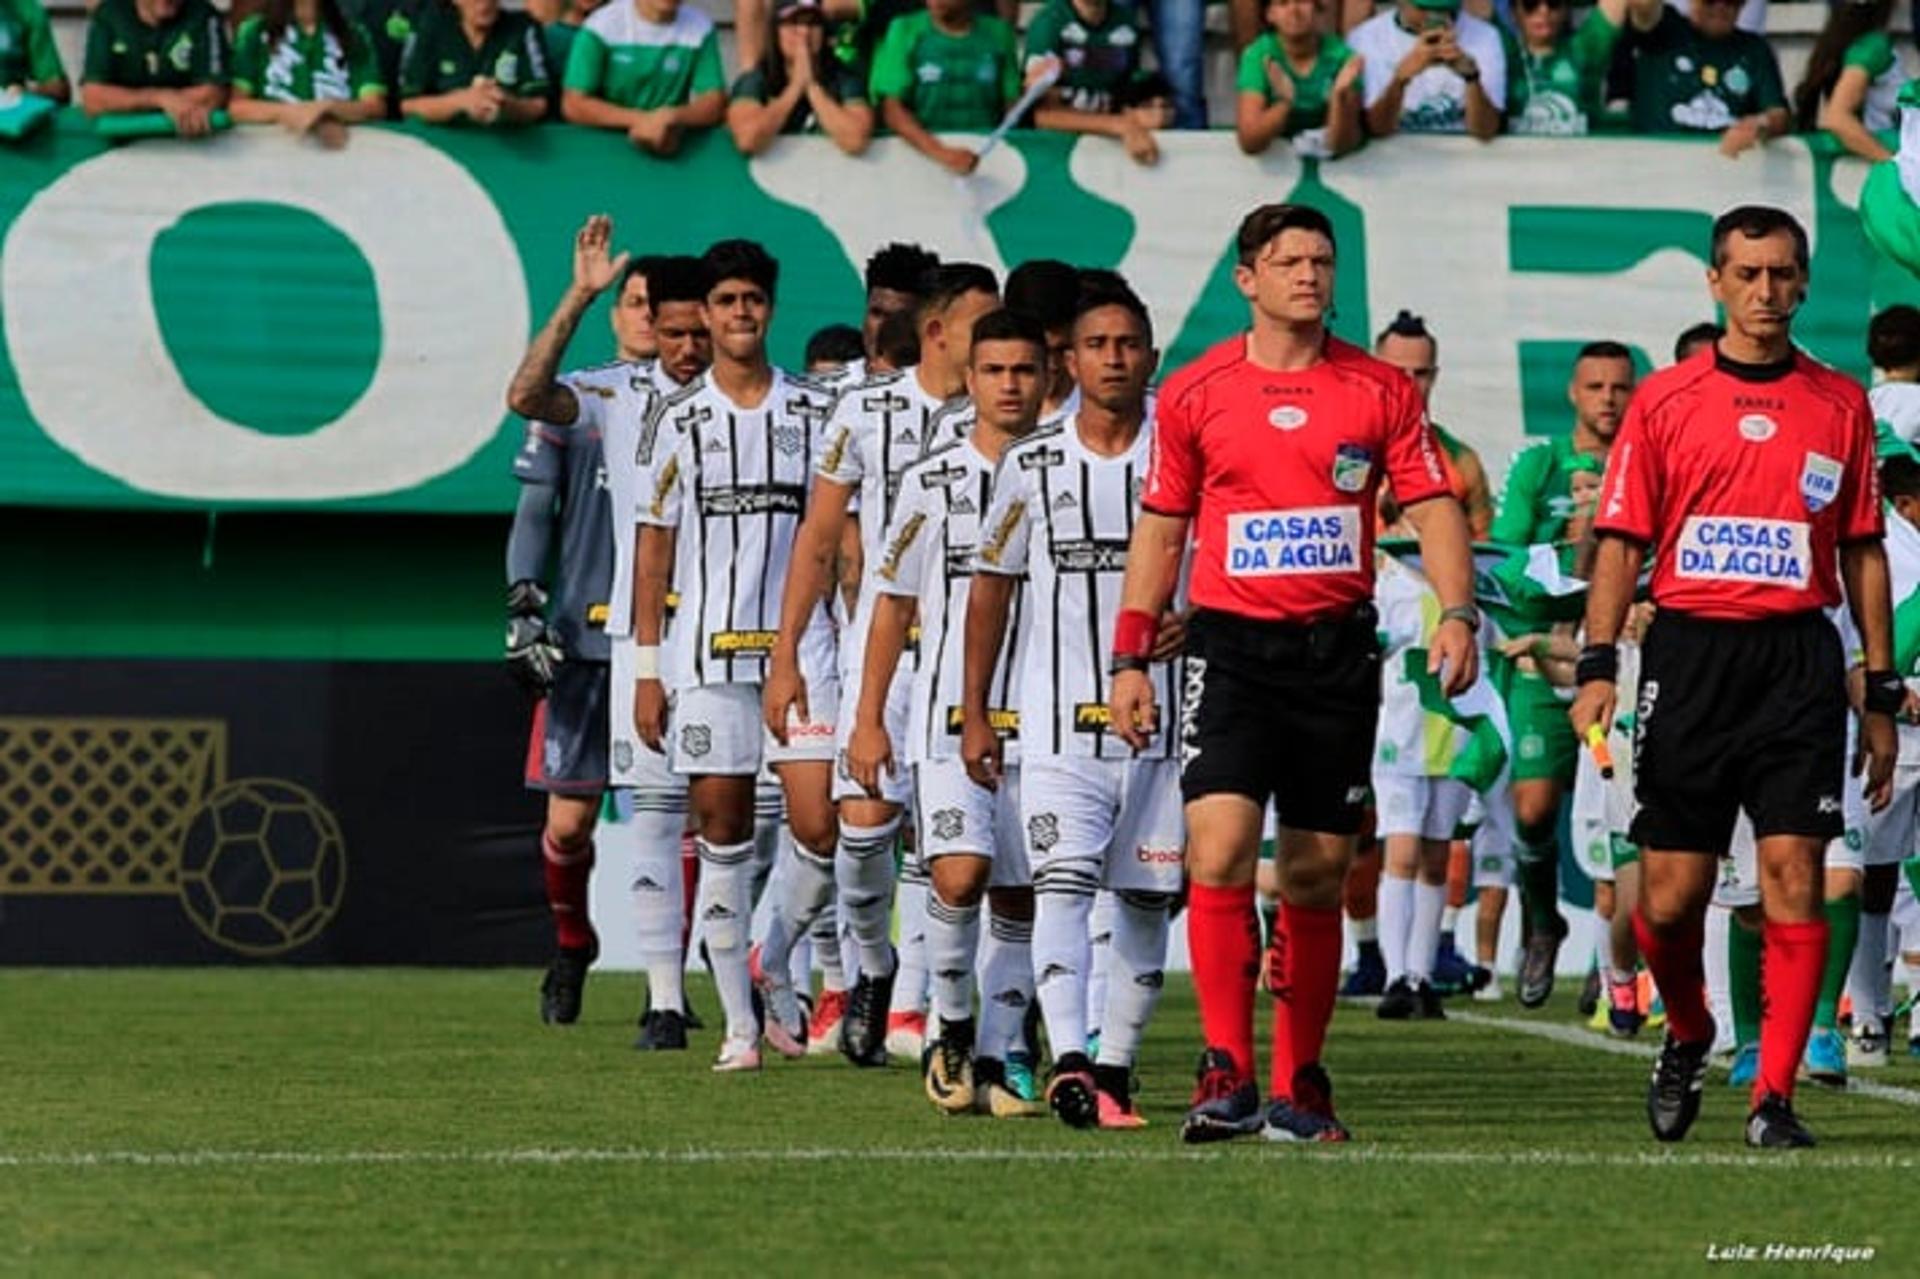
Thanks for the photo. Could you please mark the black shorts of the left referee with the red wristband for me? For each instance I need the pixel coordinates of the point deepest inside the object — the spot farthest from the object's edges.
(1284, 712)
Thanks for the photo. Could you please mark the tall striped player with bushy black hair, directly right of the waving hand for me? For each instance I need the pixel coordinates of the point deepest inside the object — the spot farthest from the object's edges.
(732, 458)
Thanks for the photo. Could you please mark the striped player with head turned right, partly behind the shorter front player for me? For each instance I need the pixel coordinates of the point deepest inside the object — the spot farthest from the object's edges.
(878, 429)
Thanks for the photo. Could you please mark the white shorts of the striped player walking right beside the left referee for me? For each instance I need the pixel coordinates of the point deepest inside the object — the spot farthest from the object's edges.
(1126, 815)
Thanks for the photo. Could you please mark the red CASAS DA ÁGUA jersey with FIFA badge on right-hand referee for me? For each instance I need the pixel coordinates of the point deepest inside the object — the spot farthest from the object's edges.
(1744, 481)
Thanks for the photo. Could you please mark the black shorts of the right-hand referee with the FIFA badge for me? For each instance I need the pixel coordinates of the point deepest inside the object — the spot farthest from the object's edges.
(1739, 715)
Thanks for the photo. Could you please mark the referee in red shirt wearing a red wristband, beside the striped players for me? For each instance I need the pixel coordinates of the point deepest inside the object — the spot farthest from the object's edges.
(1272, 448)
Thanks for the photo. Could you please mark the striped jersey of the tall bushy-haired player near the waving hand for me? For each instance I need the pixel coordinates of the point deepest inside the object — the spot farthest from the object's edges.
(732, 483)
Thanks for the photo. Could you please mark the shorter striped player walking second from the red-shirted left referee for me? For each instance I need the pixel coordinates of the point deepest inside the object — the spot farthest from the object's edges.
(969, 804)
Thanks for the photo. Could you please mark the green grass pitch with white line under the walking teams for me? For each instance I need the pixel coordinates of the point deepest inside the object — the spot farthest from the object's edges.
(402, 1122)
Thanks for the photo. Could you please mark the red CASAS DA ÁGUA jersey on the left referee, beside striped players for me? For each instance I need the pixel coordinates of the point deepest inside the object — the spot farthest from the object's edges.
(1280, 473)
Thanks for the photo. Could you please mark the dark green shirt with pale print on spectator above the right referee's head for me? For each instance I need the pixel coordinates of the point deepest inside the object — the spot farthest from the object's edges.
(1687, 84)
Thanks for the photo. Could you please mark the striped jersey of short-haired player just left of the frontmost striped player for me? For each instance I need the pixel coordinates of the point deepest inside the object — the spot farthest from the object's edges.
(936, 531)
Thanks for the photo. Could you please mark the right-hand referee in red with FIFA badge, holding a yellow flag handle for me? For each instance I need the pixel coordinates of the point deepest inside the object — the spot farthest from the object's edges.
(1748, 473)
